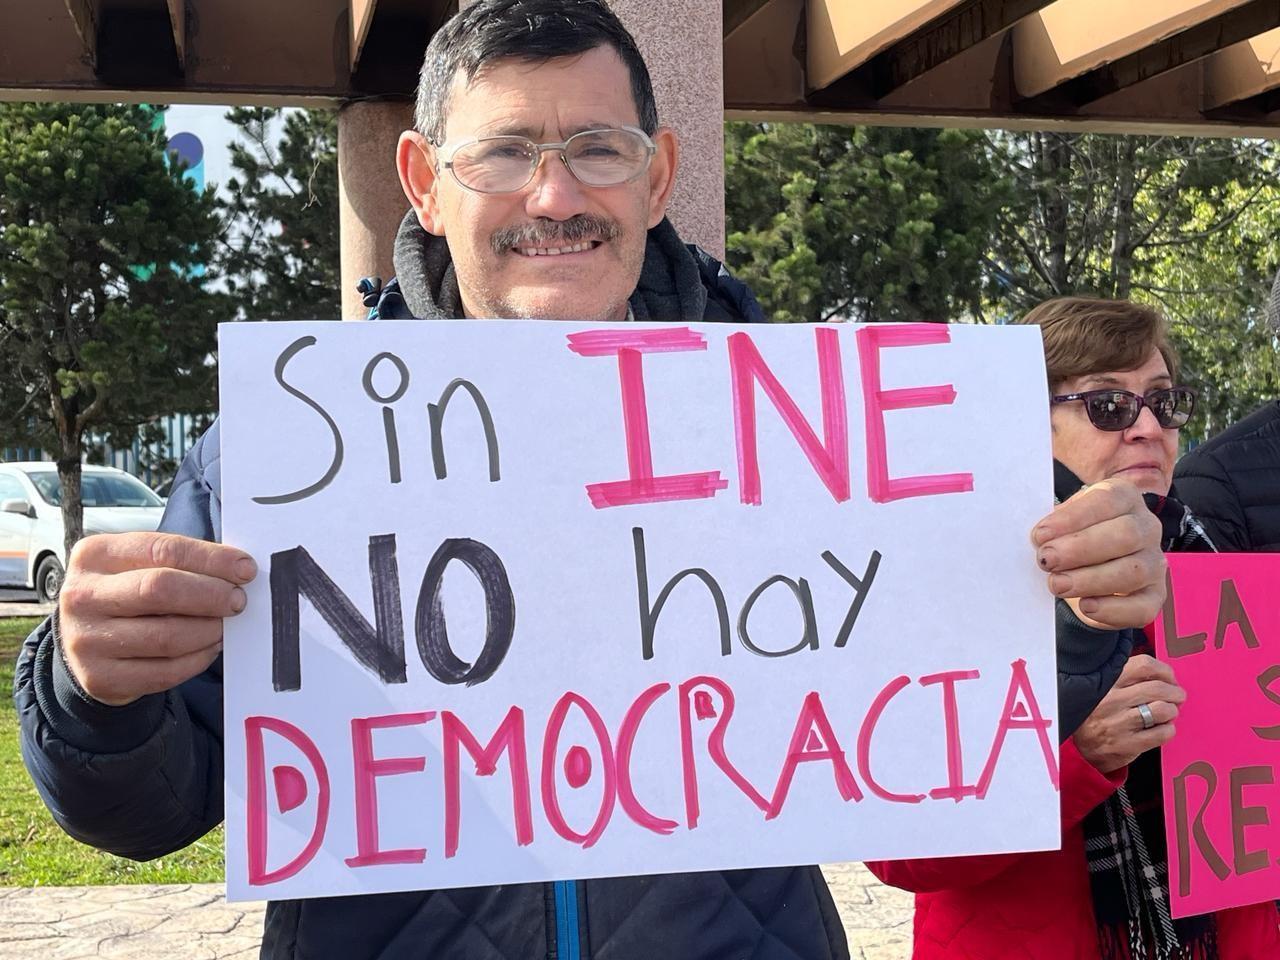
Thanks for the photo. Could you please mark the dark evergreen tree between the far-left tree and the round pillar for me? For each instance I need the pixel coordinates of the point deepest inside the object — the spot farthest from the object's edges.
(284, 246)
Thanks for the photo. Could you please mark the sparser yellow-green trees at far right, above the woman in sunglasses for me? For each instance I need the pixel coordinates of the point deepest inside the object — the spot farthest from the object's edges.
(1186, 225)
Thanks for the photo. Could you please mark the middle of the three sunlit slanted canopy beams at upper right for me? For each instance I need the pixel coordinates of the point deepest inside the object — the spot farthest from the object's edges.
(1076, 52)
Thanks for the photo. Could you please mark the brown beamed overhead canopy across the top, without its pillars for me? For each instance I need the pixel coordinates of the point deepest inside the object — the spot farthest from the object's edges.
(1191, 66)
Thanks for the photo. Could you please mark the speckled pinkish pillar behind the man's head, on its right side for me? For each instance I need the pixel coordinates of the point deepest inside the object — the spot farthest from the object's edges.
(682, 42)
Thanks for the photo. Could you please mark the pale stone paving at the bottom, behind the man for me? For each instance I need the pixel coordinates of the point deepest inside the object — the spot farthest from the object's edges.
(194, 922)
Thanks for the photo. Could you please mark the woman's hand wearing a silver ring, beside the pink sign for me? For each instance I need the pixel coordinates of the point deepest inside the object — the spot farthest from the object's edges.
(1114, 735)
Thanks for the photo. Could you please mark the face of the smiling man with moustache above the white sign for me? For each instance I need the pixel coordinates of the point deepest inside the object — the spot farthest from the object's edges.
(500, 241)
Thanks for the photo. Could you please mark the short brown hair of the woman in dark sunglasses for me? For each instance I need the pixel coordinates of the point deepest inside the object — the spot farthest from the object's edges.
(1087, 336)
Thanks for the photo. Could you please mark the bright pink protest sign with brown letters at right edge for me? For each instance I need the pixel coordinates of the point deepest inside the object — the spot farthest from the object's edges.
(1220, 632)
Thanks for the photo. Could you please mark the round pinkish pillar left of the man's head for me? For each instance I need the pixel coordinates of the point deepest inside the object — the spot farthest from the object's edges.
(372, 203)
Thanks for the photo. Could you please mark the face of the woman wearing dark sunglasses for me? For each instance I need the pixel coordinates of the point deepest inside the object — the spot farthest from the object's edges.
(1144, 455)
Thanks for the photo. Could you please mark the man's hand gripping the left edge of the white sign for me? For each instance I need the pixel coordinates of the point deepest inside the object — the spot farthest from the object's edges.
(141, 614)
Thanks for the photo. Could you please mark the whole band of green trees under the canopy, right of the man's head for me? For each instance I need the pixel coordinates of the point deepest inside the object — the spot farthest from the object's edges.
(908, 225)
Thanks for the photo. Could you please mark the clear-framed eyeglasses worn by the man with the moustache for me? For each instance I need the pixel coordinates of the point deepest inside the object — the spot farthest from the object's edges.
(604, 158)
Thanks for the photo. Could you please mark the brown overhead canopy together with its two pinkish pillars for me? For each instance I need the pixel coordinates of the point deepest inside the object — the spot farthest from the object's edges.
(1195, 67)
